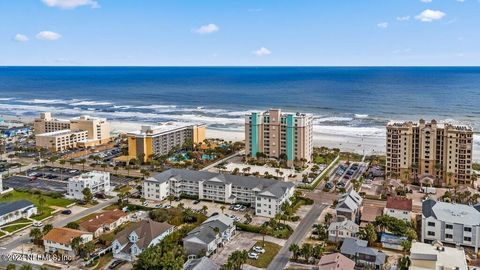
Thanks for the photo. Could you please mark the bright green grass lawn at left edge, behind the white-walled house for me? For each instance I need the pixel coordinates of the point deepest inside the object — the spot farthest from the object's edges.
(34, 198)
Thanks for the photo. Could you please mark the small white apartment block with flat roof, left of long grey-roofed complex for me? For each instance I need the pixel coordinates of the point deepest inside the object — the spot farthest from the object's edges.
(98, 182)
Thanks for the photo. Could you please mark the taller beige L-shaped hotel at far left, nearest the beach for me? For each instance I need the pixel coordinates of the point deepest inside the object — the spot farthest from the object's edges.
(98, 129)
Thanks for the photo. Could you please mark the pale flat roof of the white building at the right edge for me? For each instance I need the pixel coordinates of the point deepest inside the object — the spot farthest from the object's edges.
(451, 212)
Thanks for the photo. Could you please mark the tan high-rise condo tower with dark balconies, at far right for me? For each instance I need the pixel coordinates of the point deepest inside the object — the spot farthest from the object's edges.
(439, 153)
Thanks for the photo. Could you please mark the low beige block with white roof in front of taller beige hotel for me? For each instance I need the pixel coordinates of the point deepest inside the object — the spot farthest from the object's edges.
(61, 140)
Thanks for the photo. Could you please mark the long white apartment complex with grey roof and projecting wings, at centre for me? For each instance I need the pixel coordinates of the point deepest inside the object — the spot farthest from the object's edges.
(265, 195)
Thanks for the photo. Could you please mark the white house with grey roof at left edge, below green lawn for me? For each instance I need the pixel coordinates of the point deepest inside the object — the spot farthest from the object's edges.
(11, 211)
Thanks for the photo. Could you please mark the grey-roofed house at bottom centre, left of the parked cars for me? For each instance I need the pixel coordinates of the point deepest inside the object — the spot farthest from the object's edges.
(211, 234)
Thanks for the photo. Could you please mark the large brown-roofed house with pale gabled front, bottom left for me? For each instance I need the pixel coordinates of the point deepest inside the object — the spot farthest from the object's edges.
(134, 239)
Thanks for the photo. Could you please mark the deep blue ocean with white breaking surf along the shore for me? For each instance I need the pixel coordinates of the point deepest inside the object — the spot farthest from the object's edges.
(350, 102)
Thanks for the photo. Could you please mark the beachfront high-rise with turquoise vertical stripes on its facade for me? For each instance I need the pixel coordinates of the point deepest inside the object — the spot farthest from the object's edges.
(277, 134)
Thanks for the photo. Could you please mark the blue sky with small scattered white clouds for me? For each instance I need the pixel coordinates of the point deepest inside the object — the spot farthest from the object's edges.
(239, 33)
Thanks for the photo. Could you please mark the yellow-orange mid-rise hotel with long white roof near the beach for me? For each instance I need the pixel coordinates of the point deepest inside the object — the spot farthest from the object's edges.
(159, 140)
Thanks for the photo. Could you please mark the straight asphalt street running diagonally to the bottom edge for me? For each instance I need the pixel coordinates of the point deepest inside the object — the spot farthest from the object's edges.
(283, 256)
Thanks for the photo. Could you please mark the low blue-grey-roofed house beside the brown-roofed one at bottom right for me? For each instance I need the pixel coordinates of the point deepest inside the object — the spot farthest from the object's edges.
(362, 255)
